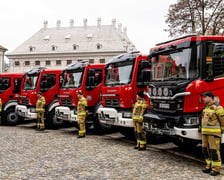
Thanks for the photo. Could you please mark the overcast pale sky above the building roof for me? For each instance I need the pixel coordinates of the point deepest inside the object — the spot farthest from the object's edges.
(144, 19)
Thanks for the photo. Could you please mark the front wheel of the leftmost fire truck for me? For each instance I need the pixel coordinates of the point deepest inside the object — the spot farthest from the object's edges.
(10, 117)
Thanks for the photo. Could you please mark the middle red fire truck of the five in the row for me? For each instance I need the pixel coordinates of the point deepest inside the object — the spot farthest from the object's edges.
(84, 77)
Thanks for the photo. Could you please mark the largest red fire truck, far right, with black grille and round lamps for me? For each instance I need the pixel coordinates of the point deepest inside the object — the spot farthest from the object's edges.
(182, 69)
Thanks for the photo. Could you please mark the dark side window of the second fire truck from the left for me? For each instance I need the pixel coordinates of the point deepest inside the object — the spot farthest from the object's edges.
(48, 81)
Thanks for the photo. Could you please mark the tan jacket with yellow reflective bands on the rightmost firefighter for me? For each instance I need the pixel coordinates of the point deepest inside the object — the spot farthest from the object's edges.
(212, 122)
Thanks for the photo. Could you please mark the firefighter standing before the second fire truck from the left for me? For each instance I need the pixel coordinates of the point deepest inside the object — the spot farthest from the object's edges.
(40, 111)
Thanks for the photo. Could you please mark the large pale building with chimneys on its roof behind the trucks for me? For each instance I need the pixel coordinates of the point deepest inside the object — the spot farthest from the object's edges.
(55, 48)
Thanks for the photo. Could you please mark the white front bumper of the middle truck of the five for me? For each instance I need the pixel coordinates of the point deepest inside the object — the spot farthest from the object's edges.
(65, 114)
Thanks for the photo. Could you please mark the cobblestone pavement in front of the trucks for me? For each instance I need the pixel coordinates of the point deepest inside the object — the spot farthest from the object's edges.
(58, 154)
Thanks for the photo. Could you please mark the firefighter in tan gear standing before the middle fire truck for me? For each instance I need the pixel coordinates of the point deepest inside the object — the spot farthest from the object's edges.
(81, 113)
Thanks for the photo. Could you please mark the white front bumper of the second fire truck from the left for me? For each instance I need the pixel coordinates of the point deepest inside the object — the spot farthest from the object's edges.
(25, 112)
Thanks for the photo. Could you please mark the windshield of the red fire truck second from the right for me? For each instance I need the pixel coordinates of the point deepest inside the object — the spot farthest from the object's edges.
(119, 73)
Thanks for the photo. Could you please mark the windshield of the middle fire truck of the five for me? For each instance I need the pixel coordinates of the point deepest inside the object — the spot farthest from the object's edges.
(72, 79)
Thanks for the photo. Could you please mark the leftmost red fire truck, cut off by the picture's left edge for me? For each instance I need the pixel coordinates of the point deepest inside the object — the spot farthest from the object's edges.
(10, 84)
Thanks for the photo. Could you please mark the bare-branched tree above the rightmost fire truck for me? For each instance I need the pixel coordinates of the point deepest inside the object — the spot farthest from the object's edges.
(196, 16)
